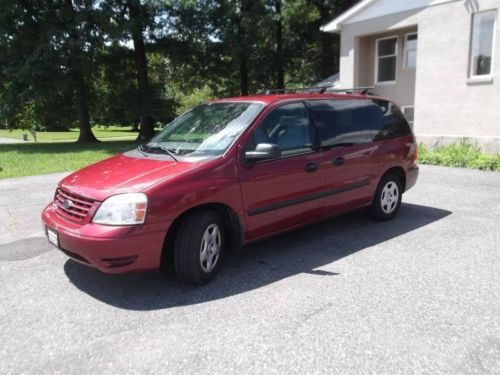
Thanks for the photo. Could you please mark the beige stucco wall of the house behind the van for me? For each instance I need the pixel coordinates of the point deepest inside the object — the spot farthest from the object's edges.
(445, 102)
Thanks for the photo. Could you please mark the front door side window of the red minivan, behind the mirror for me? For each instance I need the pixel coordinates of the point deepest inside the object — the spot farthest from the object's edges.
(286, 126)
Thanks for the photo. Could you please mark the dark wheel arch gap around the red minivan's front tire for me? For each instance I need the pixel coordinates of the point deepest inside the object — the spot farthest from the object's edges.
(235, 234)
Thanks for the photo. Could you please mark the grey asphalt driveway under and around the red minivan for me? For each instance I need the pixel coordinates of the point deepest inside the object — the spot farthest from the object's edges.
(419, 294)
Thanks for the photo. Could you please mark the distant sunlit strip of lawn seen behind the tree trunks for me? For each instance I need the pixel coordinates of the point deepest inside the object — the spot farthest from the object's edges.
(100, 133)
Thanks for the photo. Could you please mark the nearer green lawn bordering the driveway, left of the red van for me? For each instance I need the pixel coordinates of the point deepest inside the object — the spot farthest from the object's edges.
(26, 159)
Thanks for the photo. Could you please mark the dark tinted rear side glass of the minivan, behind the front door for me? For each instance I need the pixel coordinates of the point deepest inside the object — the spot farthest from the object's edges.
(348, 122)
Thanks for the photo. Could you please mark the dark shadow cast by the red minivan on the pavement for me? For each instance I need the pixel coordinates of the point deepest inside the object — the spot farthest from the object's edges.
(301, 251)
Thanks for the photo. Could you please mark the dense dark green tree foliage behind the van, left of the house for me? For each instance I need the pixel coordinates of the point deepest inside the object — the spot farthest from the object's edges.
(75, 63)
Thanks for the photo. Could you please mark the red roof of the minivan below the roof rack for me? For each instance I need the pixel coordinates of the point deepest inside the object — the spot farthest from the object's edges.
(273, 98)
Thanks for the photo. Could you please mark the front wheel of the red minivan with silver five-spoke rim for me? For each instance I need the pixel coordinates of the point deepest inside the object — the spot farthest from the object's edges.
(199, 247)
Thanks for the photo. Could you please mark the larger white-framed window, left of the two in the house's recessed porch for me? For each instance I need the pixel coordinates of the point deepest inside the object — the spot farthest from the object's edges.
(386, 59)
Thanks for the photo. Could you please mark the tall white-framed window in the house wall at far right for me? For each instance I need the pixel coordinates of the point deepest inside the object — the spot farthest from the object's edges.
(483, 36)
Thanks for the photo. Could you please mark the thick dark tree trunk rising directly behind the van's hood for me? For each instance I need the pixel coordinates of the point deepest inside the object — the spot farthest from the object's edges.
(146, 131)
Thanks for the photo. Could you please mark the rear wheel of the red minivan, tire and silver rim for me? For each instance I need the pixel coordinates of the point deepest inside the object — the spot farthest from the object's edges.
(387, 198)
